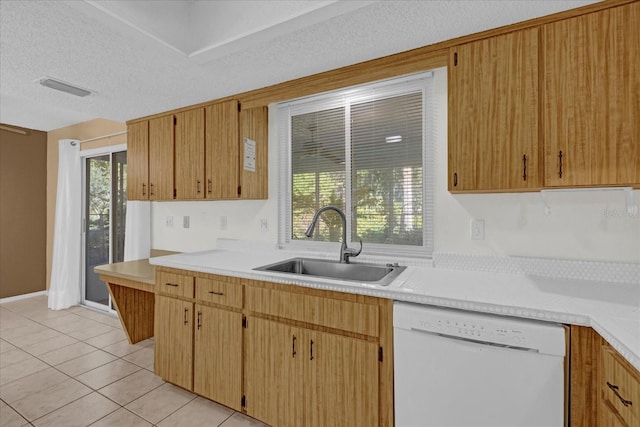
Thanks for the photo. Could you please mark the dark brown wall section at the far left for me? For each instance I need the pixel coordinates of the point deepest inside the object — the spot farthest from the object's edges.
(23, 179)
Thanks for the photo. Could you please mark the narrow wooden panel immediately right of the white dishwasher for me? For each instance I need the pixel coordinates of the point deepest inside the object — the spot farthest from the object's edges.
(584, 394)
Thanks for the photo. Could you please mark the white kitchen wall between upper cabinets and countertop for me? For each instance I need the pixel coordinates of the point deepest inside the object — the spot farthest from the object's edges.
(591, 225)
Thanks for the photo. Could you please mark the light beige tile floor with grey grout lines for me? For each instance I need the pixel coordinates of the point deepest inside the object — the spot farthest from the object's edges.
(75, 367)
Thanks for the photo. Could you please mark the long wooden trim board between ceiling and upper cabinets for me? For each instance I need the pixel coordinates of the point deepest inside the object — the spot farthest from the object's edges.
(411, 61)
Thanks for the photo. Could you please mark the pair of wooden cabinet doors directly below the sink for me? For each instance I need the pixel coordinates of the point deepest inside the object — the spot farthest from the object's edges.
(301, 377)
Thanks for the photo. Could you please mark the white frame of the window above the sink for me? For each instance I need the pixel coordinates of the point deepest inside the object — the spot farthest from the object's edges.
(420, 82)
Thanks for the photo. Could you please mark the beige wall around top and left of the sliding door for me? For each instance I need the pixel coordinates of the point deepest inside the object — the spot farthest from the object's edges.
(81, 131)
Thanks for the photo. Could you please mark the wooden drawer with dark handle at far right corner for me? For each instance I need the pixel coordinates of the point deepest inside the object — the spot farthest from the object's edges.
(620, 384)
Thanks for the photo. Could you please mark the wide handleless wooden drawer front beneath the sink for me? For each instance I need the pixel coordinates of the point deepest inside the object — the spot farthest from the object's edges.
(330, 312)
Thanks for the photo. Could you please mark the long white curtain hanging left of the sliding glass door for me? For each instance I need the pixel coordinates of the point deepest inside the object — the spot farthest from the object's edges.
(64, 290)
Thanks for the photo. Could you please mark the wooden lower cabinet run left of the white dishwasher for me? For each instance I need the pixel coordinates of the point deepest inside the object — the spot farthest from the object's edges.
(283, 354)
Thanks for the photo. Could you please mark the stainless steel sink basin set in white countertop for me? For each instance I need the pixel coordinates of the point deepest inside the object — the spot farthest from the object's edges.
(369, 273)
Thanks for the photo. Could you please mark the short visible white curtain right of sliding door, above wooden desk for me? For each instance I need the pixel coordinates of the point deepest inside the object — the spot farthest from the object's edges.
(137, 235)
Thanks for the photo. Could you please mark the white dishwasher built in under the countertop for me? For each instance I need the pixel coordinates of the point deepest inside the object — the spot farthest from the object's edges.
(457, 368)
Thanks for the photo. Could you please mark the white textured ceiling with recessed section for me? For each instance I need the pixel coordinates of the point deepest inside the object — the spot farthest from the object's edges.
(145, 57)
